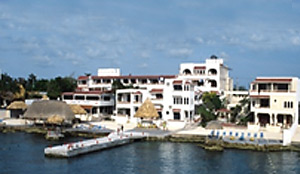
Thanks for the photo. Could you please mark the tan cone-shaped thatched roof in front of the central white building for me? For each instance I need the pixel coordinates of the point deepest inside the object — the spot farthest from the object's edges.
(147, 110)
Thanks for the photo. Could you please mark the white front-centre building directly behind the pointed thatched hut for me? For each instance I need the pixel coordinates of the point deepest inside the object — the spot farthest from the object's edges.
(174, 101)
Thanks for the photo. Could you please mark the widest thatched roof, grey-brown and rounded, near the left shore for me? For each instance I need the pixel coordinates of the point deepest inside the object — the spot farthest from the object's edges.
(44, 109)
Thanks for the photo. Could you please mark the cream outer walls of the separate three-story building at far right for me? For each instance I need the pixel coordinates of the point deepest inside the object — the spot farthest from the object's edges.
(283, 103)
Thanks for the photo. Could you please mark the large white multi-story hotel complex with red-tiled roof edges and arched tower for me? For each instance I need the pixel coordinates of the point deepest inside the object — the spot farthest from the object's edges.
(172, 95)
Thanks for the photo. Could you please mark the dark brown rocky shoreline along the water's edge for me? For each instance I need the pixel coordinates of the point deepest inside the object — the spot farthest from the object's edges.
(201, 140)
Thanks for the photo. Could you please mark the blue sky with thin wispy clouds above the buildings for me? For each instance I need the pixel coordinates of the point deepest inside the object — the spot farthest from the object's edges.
(53, 38)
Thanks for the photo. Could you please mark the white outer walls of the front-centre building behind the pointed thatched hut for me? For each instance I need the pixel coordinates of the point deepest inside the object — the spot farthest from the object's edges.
(166, 105)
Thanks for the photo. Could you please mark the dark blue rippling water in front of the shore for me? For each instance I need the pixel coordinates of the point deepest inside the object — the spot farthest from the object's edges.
(23, 153)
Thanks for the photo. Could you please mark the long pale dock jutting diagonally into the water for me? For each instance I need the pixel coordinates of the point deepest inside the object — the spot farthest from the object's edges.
(87, 146)
